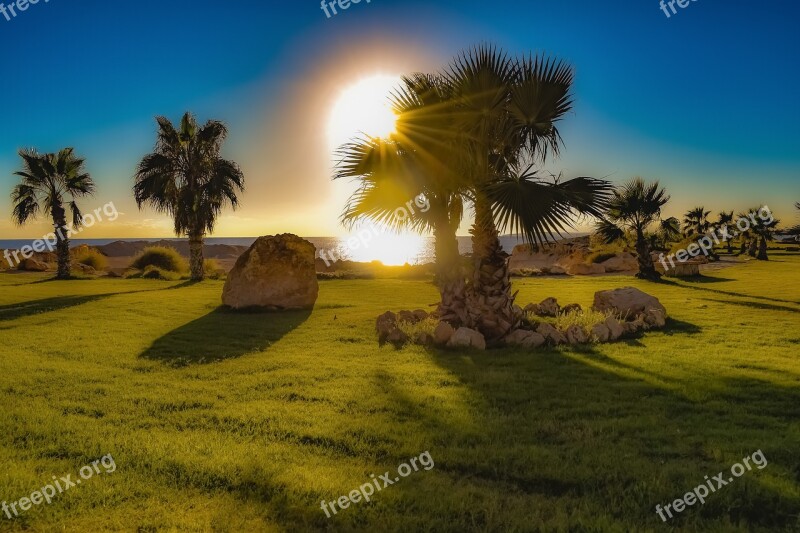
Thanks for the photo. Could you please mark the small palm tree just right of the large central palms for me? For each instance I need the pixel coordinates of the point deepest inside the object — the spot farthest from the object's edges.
(634, 207)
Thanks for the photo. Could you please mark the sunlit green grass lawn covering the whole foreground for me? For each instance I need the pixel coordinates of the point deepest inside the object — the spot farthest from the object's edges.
(220, 421)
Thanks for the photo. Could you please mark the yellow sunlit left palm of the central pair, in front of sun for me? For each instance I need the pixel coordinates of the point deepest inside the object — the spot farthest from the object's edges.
(419, 159)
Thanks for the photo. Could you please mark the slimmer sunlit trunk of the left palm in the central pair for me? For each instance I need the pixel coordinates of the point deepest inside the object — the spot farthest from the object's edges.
(450, 279)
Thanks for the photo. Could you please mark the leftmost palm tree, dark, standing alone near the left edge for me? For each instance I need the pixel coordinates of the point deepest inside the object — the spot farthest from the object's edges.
(49, 182)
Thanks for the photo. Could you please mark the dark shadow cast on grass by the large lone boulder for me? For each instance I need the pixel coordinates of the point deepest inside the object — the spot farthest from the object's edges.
(223, 334)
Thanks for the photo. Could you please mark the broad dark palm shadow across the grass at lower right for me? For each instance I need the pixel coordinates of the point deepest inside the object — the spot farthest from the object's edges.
(641, 442)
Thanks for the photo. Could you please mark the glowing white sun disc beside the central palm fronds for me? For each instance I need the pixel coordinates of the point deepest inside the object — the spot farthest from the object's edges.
(363, 109)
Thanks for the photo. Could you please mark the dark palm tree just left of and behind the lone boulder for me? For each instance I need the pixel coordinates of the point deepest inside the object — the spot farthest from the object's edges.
(186, 178)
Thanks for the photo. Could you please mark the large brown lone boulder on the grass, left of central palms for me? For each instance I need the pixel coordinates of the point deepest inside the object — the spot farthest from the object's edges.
(275, 273)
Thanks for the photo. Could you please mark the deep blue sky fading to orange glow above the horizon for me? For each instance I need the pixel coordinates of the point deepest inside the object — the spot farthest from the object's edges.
(704, 101)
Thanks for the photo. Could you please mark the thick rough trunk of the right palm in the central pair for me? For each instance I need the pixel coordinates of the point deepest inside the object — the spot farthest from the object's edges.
(492, 304)
